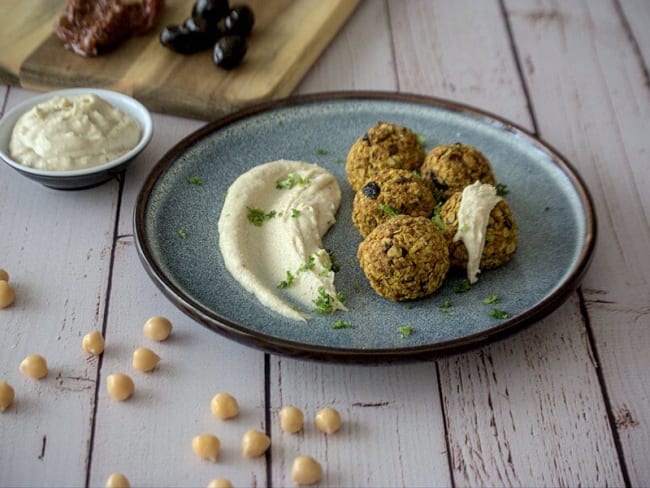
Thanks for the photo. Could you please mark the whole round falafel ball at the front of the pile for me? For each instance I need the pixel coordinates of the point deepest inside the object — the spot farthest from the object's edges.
(405, 258)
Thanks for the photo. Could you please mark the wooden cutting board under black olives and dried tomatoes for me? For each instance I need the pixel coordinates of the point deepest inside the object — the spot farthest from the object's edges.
(288, 37)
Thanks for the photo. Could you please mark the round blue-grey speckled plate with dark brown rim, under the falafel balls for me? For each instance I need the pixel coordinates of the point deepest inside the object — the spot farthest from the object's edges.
(177, 238)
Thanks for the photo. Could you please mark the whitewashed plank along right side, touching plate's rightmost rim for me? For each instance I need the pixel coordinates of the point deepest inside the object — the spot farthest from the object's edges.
(605, 103)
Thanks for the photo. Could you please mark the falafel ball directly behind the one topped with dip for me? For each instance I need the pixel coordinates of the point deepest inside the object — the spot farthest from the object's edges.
(450, 168)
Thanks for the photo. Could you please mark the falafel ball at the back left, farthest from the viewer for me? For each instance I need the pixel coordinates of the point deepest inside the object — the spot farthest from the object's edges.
(384, 146)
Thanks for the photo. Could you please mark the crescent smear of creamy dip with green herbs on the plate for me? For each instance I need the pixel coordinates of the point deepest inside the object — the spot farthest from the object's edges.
(270, 235)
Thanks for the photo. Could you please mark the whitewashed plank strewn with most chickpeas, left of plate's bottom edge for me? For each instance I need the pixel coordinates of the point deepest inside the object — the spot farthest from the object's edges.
(149, 437)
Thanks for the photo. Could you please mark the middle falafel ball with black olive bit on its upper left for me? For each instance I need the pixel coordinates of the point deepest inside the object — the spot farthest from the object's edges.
(391, 192)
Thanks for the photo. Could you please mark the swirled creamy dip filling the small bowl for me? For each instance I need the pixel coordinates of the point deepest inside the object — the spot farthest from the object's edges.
(74, 132)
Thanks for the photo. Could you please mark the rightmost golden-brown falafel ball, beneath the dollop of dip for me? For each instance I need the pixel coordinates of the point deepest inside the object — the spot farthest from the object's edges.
(501, 235)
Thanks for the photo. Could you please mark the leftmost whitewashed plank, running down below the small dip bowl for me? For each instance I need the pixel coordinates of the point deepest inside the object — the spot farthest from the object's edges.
(56, 248)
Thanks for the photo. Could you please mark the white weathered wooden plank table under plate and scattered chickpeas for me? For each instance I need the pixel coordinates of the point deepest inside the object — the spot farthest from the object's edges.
(563, 403)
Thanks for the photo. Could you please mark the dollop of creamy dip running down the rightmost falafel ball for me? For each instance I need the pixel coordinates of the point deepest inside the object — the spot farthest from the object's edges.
(473, 214)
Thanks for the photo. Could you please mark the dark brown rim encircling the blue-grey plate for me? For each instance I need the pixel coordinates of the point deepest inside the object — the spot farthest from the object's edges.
(241, 334)
